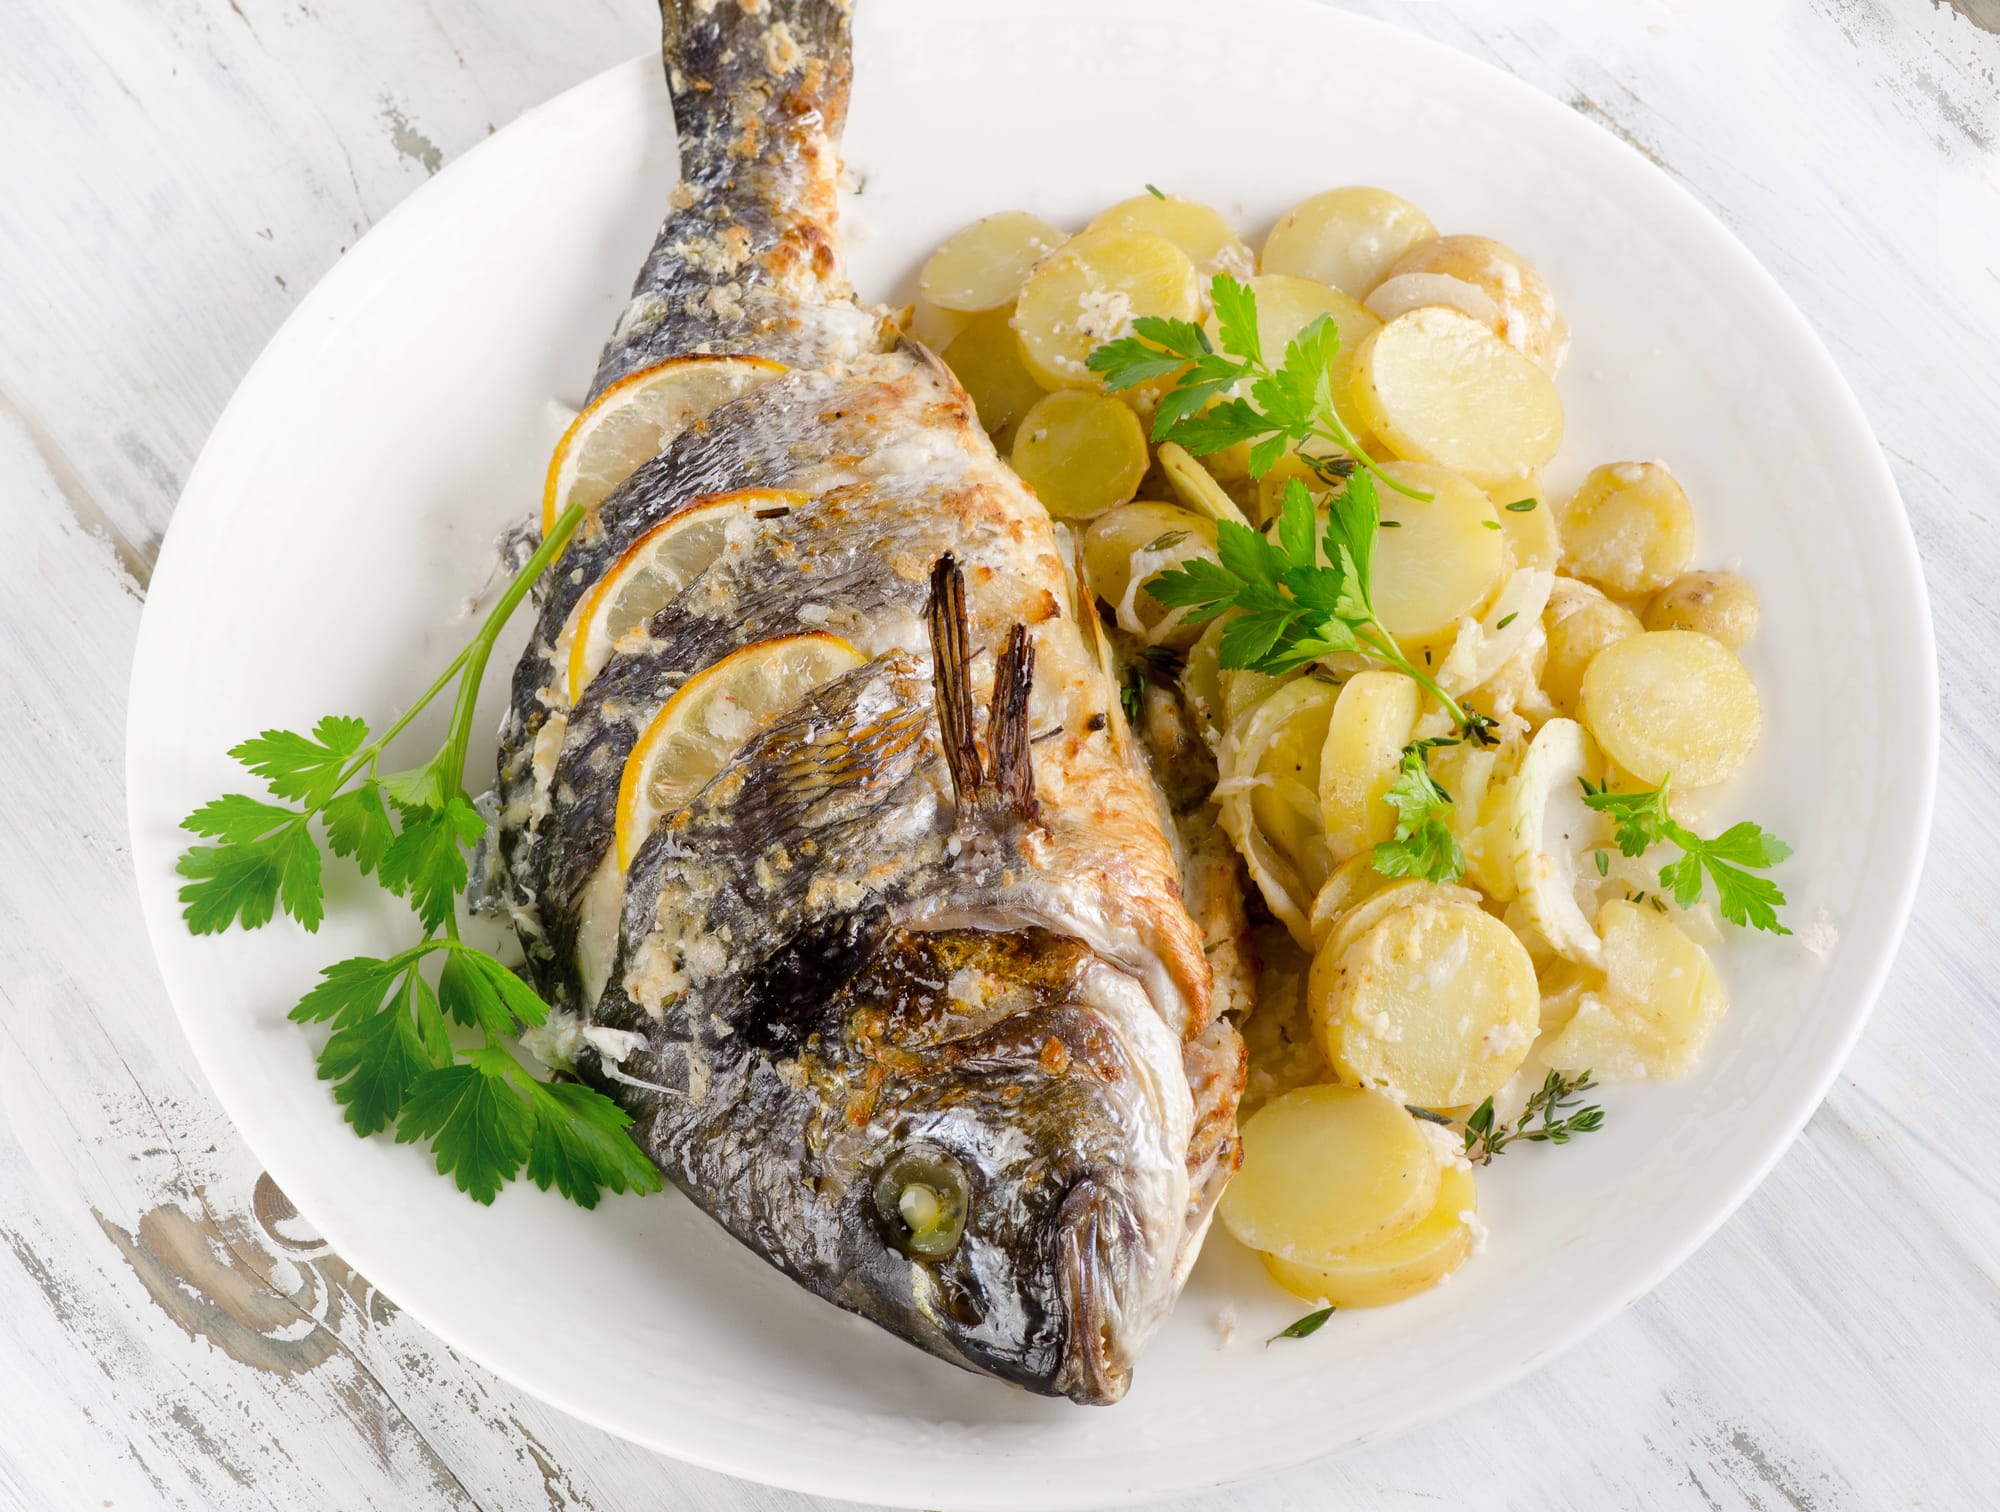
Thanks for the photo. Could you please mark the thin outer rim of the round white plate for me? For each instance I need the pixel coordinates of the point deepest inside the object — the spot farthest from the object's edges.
(1139, 1487)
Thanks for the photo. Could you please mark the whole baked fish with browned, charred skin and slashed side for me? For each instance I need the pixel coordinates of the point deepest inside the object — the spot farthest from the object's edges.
(909, 995)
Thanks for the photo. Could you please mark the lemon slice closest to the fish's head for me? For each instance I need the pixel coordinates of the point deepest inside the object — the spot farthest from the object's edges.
(711, 719)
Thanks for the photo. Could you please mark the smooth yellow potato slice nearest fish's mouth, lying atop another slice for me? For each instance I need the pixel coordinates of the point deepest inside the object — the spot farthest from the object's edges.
(1329, 1171)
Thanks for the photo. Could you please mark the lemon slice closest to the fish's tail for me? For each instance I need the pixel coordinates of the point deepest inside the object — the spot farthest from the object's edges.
(637, 419)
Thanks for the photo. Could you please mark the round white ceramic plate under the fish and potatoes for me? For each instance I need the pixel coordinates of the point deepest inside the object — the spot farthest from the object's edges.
(347, 501)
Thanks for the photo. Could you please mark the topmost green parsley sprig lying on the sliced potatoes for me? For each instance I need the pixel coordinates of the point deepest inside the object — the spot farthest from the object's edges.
(1205, 409)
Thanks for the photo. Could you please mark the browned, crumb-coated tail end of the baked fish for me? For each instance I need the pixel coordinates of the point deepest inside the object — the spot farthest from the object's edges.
(761, 95)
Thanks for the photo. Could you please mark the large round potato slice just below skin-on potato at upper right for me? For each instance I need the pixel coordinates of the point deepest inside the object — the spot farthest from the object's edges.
(1439, 387)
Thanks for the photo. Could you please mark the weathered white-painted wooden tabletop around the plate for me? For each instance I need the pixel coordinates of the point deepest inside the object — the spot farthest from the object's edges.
(175, 175)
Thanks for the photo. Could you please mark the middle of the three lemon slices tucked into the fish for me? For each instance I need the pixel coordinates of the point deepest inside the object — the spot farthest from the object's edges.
(657, 567)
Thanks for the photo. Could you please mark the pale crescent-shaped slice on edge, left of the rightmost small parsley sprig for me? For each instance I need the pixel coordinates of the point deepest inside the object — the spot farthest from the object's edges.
(1551, 835)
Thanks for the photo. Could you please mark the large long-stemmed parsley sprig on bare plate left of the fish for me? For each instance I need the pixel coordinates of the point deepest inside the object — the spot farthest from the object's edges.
(391, 1053)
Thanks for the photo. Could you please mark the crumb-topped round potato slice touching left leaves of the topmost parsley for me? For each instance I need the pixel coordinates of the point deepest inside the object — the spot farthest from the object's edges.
(1089, 291)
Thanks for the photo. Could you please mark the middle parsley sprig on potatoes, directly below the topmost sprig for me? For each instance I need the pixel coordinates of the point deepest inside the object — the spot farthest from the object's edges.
(1299, 599)
